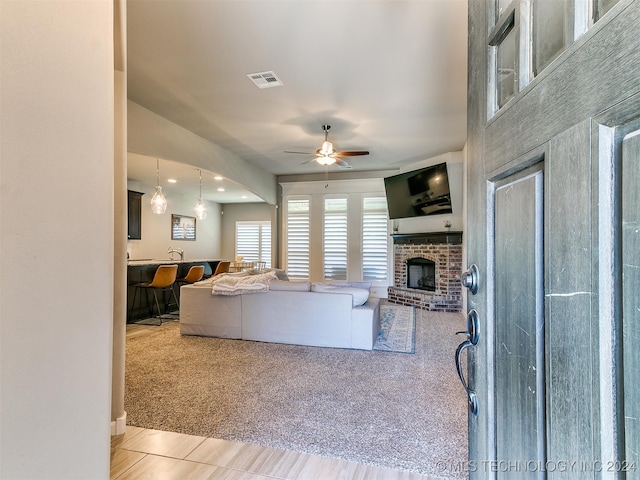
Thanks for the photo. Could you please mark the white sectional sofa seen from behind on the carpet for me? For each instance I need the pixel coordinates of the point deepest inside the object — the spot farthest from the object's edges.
(290, 312)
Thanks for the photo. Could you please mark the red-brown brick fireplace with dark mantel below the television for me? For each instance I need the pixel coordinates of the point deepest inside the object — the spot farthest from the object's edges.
(412, 254)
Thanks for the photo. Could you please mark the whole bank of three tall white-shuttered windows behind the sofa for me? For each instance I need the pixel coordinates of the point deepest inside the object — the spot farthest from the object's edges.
(336, 231)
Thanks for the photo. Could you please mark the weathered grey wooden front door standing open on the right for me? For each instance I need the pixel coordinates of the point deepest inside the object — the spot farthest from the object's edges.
(553, 176)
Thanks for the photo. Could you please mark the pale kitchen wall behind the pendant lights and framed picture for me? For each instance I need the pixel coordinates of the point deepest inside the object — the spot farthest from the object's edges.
(156, 229)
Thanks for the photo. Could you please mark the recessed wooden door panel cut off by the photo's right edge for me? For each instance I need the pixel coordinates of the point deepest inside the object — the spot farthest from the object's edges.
(631, 299)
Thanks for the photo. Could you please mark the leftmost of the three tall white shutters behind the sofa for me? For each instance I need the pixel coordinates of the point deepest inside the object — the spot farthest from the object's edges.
(298, 238)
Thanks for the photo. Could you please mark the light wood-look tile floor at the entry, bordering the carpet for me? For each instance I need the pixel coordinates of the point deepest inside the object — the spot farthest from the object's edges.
(143, 454)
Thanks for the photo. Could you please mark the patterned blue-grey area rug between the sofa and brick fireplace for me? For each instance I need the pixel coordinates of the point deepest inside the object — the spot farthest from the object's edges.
(397, 329)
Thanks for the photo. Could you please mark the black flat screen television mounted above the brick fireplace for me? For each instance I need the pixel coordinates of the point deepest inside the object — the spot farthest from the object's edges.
(419, 192)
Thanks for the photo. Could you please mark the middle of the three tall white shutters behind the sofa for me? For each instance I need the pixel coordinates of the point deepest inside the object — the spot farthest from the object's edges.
(335, 238)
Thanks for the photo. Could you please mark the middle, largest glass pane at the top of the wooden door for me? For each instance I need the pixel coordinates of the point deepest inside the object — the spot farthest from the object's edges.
(549, 20)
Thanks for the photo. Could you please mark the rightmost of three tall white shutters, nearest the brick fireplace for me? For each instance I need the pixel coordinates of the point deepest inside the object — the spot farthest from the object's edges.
(374, 239)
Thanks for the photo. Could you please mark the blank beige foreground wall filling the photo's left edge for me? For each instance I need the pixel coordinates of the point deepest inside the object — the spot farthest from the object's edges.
(56, 219)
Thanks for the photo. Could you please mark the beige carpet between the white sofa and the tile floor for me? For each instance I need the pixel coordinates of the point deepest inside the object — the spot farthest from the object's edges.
(386, 409)
